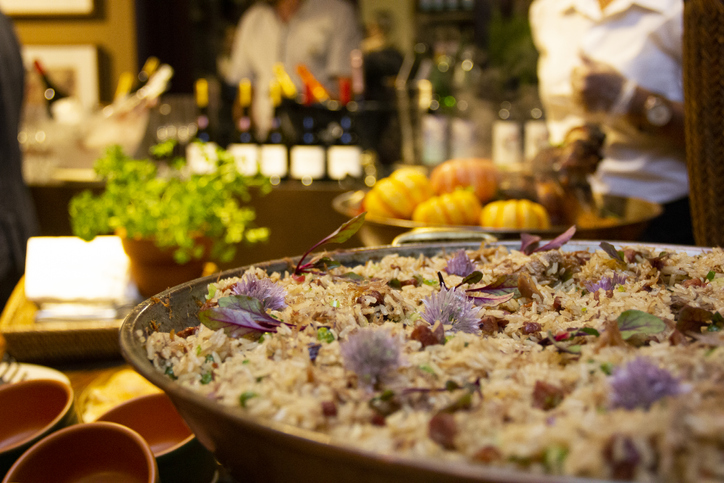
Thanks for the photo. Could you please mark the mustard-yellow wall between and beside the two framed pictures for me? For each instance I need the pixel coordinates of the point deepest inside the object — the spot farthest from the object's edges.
(112, 29)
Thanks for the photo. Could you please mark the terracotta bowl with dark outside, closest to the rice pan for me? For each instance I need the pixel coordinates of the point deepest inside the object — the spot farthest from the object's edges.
(180, 456)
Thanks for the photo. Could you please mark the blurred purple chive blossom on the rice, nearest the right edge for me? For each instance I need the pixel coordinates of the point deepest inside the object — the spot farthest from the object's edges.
(641, 383)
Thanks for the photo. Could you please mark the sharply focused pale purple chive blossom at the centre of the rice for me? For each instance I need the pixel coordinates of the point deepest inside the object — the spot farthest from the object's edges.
(451, 307)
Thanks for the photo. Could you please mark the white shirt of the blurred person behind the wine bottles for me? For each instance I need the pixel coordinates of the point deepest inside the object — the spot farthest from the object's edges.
(321, 35)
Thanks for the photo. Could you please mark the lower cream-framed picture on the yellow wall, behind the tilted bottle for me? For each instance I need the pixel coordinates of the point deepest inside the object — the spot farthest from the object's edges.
(74, 68)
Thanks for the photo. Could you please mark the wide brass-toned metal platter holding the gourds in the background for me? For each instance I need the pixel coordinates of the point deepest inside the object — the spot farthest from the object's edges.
(632, 215)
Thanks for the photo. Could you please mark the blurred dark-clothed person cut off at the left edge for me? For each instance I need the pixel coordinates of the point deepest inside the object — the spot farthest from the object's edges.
(18, 220)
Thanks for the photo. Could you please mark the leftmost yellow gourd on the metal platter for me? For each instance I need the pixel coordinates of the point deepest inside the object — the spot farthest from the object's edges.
(397, 195)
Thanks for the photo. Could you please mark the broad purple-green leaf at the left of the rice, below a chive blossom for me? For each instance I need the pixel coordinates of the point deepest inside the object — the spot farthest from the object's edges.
(239, 315)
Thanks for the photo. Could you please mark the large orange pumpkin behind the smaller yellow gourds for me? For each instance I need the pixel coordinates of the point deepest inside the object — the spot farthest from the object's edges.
(479, 173)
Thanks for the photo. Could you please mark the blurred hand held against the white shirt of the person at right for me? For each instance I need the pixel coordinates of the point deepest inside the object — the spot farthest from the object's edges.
(597, 87)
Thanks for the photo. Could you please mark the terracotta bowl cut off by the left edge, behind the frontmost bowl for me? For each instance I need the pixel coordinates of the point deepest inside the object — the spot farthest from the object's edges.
(30, 411)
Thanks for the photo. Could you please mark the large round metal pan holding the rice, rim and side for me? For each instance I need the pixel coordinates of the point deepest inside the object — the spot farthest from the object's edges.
(265, 451)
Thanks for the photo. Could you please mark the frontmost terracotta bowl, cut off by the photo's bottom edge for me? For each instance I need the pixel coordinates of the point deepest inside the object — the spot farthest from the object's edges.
(95, 452)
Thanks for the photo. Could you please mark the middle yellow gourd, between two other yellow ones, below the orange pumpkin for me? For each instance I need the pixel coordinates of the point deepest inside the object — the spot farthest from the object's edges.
(461, 207)
